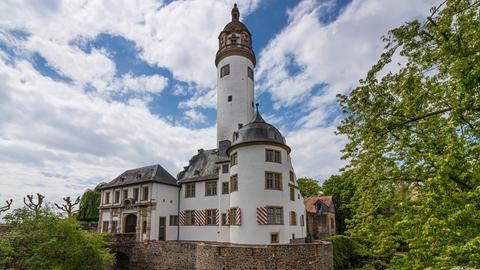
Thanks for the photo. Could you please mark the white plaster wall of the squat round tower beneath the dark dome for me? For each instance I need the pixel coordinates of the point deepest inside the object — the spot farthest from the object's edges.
(251, 194)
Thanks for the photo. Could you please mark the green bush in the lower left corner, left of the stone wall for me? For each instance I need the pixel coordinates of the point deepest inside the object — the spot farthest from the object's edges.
(45, 241)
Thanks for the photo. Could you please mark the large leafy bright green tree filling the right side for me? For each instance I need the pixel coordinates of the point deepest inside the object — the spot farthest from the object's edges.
(414, 144)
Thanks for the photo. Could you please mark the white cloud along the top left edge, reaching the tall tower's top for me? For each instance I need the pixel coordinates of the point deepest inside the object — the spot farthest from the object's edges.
(180, 36)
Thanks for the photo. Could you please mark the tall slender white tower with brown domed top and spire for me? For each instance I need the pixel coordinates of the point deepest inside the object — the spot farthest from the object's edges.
(235, 61)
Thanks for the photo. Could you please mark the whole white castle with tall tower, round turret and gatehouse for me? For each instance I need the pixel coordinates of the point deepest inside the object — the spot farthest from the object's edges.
(242, 192)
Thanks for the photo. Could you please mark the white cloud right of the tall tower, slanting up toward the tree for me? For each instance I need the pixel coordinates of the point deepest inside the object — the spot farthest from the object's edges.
(337, 54)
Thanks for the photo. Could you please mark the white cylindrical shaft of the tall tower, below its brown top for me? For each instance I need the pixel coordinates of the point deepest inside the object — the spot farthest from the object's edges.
(240, 87)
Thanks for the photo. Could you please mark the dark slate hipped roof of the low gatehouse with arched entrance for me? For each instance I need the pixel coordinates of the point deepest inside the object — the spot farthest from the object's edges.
(152, 173)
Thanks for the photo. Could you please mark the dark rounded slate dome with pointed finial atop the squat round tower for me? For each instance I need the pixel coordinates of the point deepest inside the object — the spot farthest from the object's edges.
(258, 131)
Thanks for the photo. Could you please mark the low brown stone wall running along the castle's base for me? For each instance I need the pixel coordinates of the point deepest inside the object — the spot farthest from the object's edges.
(197, 255)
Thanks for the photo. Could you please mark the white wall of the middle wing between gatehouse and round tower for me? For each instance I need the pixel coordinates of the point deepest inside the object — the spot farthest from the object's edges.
(199, 202)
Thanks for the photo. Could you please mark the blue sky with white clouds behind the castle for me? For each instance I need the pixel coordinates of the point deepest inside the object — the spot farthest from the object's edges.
(89, 89)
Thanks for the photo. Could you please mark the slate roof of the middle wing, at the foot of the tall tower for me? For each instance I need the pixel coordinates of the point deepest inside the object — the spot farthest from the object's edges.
(202, 166)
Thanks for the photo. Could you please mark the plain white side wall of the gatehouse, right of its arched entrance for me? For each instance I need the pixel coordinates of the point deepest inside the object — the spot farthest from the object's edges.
(165, 197)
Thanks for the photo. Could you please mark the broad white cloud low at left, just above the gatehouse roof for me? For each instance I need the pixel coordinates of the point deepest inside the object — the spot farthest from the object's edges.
(58, 140)
